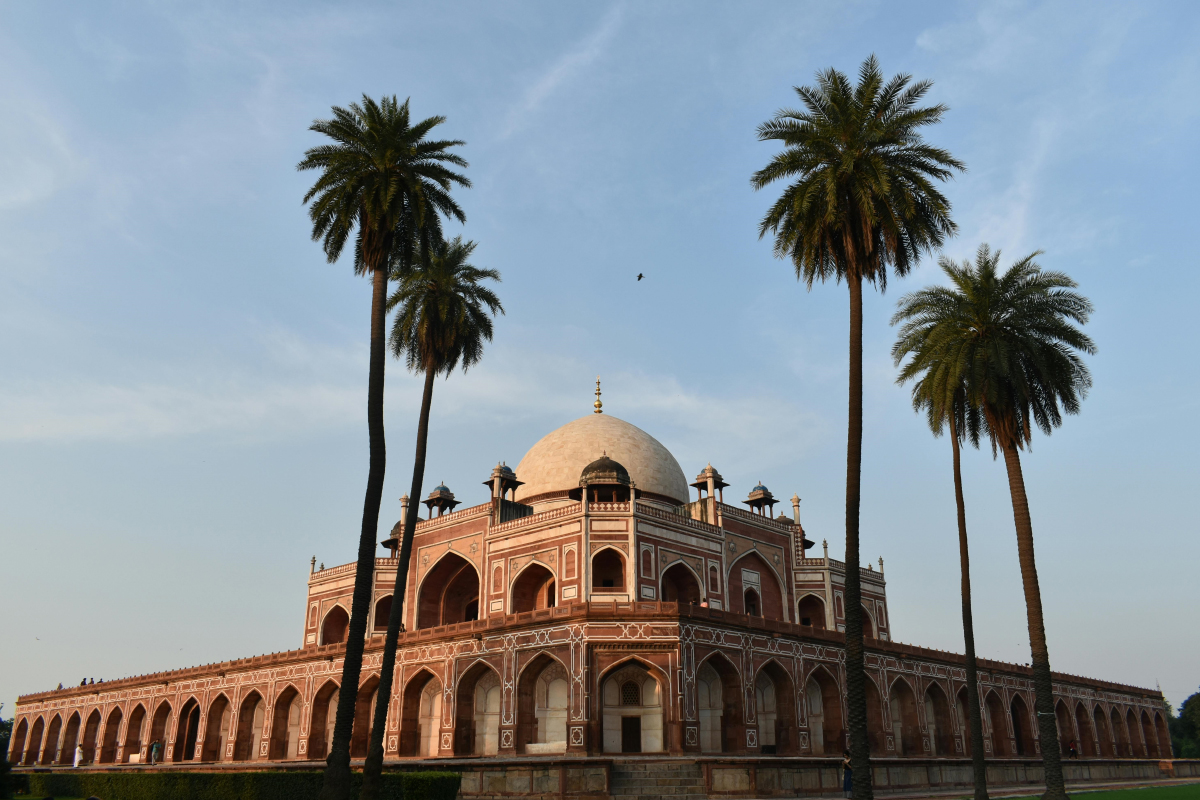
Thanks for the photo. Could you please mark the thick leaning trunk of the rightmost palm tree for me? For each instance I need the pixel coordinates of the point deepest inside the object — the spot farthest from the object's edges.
(1043, 689)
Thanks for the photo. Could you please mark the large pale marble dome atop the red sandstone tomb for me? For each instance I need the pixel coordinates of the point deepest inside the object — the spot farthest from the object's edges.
(556, 462)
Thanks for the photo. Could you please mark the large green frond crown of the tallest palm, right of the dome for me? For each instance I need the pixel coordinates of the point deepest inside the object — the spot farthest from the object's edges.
(865, 196)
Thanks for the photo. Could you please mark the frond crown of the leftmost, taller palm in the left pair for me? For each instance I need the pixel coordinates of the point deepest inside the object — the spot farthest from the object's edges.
(380, 173)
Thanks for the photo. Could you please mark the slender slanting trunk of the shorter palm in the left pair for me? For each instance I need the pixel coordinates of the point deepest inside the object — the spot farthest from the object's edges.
(374, 767)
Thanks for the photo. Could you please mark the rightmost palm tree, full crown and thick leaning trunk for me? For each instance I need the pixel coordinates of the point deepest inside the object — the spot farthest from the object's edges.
(1013, 336)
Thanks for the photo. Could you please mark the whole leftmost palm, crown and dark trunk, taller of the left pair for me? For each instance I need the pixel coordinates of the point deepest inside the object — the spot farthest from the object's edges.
(382, 181)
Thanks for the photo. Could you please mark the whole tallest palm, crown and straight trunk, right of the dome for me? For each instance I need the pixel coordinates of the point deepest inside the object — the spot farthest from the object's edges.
(863, 200)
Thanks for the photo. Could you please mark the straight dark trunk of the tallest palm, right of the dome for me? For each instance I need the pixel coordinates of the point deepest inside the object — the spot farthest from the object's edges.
(856, 677)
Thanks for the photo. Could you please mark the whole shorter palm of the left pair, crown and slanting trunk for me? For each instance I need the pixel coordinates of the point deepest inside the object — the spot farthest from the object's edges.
(443, 321)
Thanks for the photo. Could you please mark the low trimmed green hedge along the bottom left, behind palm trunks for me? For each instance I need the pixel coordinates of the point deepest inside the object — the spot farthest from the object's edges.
(224, 786)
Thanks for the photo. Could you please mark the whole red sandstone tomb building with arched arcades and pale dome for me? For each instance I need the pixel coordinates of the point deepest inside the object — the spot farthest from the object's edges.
(609, 615)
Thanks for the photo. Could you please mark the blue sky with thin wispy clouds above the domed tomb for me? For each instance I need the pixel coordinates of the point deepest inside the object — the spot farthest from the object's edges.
(183, 376)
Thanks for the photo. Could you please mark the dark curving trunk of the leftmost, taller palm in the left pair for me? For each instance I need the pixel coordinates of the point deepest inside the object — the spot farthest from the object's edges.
(338, 767)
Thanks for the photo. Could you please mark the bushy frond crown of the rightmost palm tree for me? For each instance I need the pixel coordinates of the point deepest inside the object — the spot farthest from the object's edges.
(1011, 338)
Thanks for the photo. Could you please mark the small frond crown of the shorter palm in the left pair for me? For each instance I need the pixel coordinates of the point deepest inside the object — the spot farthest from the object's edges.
(443, 317)
